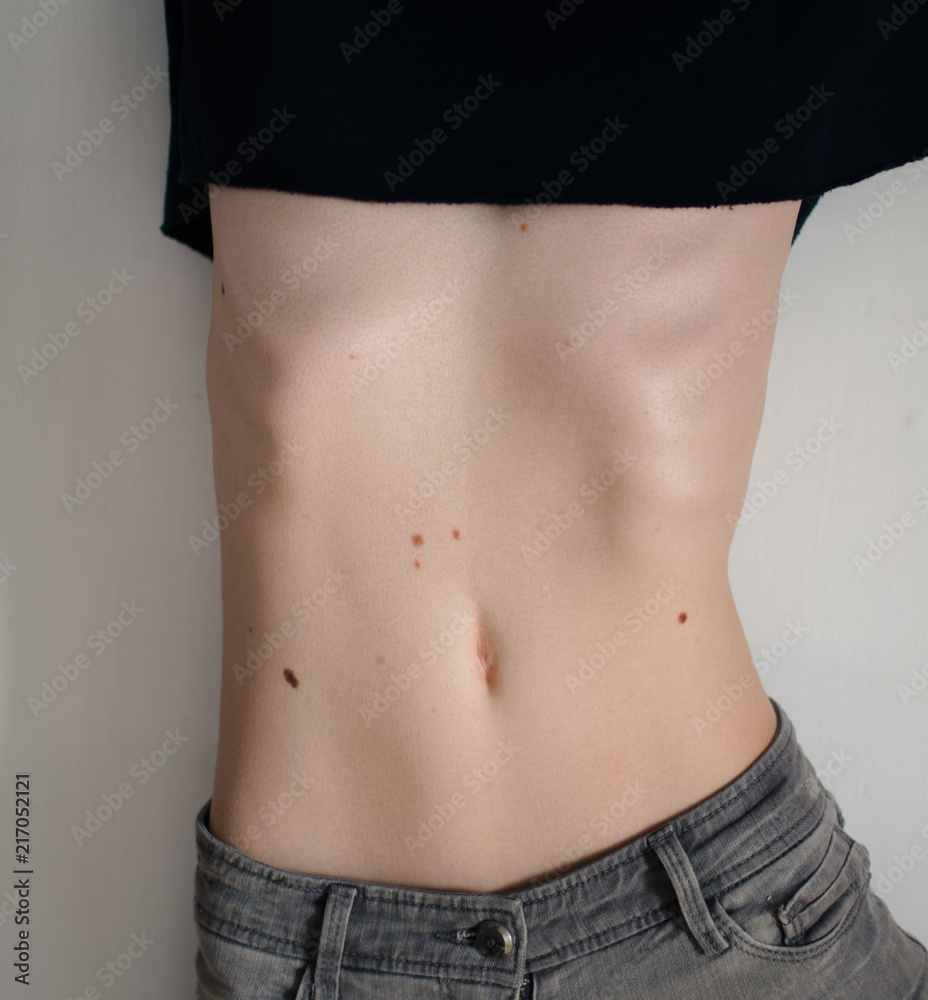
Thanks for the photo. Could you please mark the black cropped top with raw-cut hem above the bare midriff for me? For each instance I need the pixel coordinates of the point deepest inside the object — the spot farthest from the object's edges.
(521, 102)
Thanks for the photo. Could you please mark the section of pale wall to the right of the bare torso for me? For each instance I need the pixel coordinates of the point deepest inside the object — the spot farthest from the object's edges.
(858, 274)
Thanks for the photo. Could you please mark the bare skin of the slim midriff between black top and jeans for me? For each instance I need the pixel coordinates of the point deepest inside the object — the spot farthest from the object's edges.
(427, 455)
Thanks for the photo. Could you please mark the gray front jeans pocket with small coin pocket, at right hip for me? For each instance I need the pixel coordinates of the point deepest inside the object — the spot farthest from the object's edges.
(803, 902)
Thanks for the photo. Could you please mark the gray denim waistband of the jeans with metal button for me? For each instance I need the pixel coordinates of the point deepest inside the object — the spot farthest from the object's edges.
(499, 937)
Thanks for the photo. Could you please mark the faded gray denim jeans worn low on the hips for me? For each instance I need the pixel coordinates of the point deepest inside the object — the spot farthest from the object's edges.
(756, 893)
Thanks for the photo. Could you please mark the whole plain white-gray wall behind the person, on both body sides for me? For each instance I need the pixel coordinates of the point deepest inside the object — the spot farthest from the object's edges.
(128, 541)
